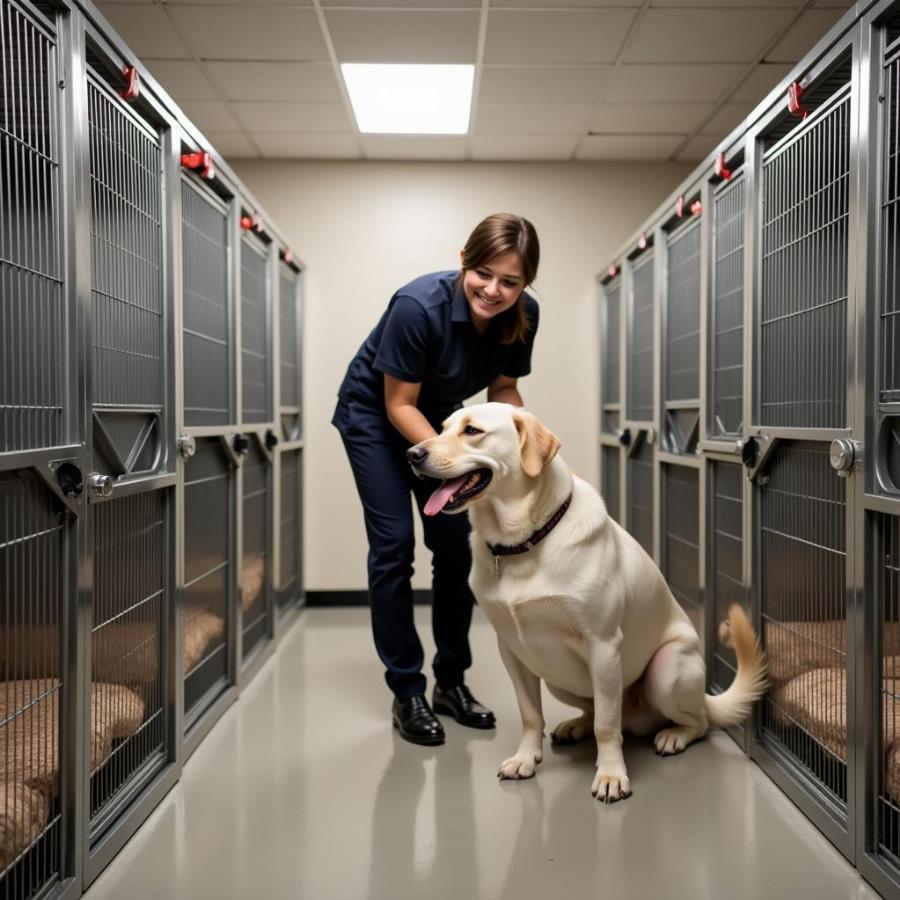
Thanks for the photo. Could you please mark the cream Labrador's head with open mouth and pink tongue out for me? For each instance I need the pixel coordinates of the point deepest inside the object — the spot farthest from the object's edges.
(479, 447)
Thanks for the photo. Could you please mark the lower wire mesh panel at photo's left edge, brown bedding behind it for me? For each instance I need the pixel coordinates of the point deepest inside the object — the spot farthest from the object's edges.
(32, 563)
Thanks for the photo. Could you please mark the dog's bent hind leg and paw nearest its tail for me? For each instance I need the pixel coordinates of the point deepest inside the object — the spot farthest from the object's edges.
(674, 685)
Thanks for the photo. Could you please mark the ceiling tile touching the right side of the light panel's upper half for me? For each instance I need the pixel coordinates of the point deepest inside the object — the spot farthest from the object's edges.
(542, 84)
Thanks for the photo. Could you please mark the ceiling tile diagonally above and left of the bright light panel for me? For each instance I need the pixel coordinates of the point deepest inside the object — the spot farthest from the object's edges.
(251, 32)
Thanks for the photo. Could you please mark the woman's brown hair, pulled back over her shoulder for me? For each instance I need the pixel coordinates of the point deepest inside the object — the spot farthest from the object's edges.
(495, 236)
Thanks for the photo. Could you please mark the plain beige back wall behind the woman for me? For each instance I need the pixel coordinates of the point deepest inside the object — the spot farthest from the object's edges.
(364, 229)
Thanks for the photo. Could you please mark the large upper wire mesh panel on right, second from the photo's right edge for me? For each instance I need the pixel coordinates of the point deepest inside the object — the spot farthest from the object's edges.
(803, 311)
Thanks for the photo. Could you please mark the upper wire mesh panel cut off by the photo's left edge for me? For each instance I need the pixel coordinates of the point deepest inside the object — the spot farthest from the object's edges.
(32, 304)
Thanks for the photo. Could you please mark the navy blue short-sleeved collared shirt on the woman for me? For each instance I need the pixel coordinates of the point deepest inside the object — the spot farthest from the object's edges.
(426, 336)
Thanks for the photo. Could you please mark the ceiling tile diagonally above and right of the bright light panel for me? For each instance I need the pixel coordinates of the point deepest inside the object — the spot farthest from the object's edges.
(562, 37)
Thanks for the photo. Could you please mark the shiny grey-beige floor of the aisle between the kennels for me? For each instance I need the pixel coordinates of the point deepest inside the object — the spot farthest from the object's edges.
(303, 790)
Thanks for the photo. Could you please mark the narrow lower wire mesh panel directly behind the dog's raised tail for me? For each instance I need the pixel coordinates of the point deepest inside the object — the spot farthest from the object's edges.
(724, 539)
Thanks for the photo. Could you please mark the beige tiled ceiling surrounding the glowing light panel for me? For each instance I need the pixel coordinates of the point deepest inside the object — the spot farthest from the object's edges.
(555, 79)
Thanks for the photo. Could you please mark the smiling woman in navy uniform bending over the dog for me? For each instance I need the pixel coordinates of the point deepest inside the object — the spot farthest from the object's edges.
(444, 337)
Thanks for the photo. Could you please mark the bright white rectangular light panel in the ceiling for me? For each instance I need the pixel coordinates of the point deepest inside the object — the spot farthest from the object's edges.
(410, 99)
